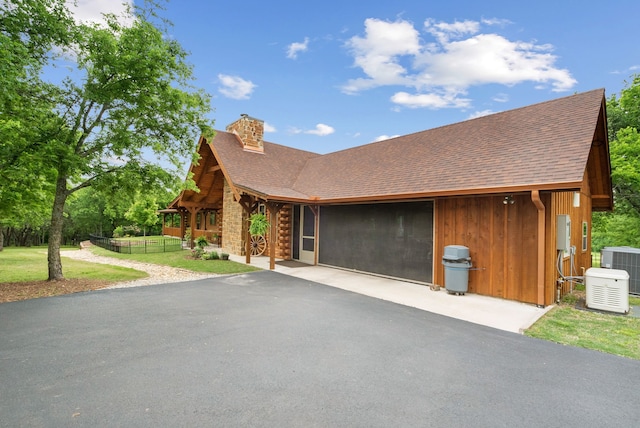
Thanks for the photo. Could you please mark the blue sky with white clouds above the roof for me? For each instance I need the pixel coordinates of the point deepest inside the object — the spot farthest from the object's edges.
(326, 76)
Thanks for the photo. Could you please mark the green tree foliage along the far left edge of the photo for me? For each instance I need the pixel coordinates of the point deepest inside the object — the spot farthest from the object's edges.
(29, 31)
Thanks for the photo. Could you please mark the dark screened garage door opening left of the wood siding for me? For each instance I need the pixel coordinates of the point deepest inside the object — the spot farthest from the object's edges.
(392, 239)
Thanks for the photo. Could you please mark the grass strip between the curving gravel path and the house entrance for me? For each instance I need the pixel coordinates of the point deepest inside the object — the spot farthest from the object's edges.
(181, 259)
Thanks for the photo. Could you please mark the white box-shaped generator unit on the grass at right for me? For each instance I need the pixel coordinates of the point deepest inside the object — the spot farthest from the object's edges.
(607, 289)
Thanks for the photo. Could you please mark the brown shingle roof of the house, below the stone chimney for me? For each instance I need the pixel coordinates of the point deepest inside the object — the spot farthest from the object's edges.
(541, 146)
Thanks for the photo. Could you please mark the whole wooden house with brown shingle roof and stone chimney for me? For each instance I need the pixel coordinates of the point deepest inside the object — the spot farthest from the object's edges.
(503, 185)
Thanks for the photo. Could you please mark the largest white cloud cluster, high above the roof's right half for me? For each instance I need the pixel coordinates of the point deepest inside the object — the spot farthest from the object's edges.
(441, 71)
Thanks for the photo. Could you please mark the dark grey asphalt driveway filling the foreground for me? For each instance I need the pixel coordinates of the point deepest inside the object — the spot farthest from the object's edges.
(265, 349)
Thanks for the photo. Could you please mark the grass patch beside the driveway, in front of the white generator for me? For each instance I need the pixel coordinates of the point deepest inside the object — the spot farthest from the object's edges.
(605, 332)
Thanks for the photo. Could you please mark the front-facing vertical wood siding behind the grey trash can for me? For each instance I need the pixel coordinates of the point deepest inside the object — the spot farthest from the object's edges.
(502, 241)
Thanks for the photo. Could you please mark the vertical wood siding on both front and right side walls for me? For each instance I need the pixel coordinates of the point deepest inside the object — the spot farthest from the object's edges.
(502, 241)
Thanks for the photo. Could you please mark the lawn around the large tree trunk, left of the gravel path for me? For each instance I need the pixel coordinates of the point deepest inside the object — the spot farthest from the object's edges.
(19, 264)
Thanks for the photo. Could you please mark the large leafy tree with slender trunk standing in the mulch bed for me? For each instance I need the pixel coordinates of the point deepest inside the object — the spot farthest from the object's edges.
(127, 97)
